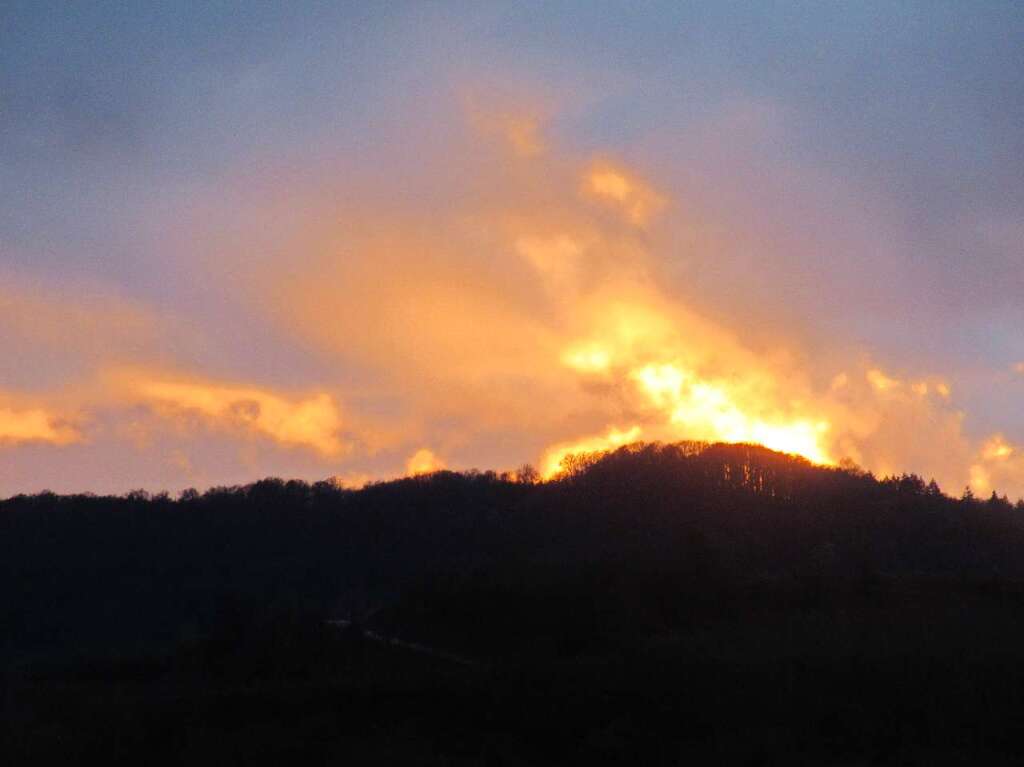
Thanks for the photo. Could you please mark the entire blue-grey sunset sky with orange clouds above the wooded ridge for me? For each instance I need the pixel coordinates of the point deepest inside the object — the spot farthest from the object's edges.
(367, 240)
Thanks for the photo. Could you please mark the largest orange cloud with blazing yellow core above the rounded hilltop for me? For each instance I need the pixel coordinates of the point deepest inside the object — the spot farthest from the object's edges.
(517, 309)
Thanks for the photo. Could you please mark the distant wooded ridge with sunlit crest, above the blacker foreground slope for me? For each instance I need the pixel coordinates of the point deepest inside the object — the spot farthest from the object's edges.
(642, 528)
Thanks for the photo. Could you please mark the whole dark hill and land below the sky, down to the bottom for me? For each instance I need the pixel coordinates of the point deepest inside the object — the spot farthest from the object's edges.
(731, 569)
